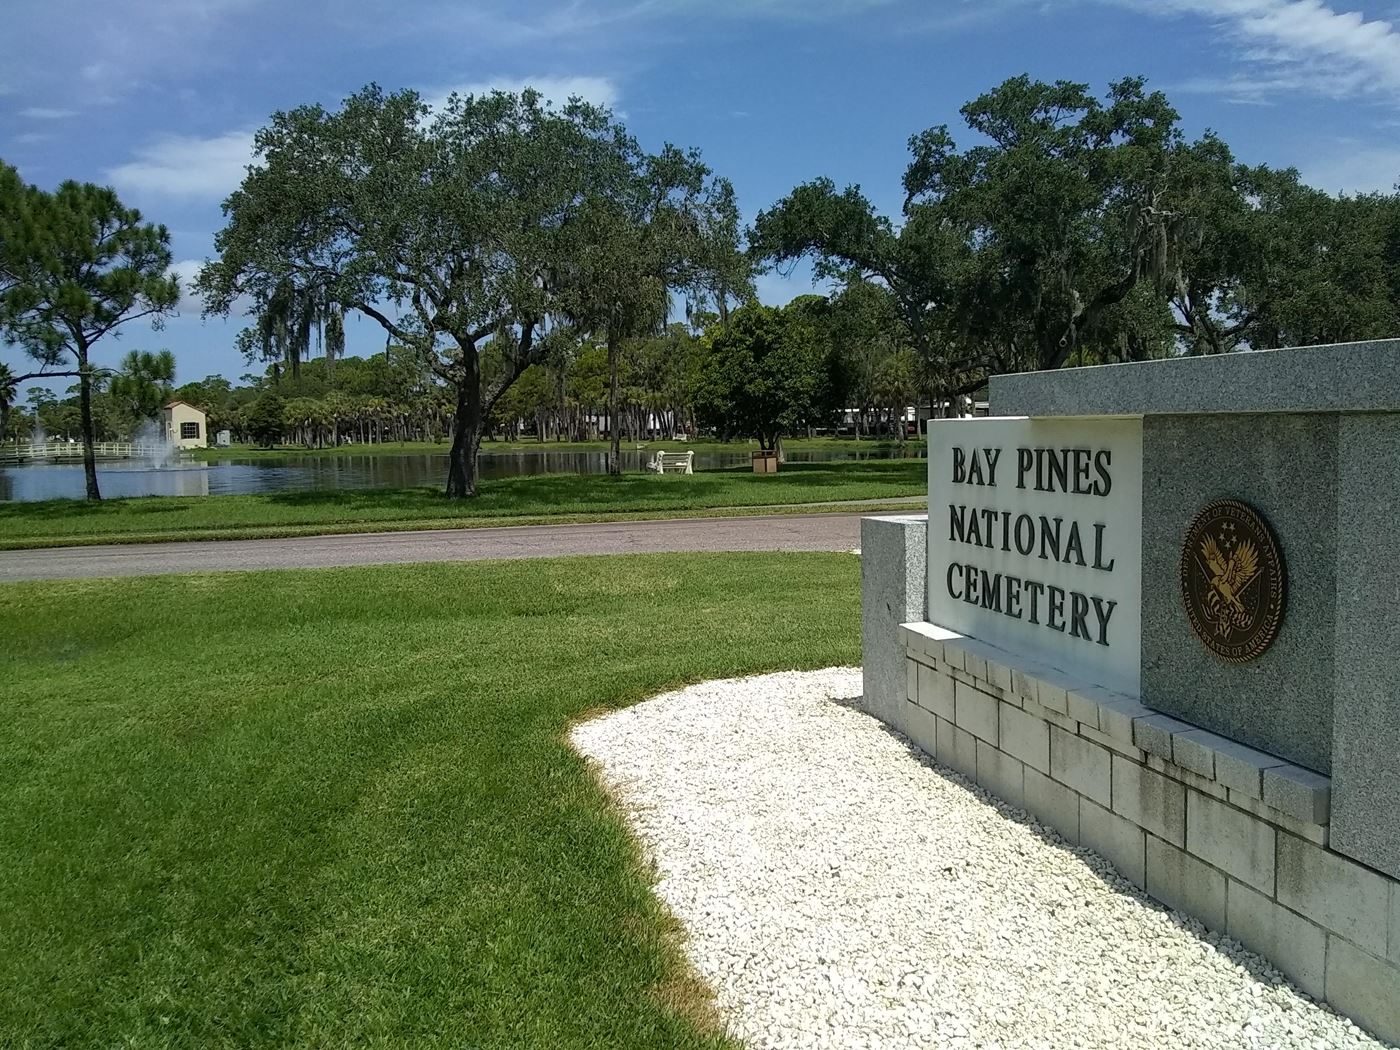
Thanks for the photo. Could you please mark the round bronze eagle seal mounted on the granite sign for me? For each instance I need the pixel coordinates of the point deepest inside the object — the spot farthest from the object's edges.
(1233, 582)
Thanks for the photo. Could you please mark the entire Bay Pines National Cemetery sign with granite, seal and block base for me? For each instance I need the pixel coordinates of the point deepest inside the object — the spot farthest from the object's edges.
(1182, 660)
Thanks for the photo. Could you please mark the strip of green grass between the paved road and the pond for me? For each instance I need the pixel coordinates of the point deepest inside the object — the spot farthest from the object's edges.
(509, 502)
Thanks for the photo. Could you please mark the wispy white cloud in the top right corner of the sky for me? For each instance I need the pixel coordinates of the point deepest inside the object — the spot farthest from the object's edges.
(1297, 45)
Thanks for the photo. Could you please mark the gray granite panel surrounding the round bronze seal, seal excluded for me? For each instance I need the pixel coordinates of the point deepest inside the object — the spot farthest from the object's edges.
(1286, 467)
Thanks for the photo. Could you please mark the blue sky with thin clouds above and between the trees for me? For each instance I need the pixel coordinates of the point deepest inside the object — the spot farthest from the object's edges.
(160, 99)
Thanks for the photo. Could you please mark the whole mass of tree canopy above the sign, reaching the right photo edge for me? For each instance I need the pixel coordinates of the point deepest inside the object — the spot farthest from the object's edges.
(1077, 229)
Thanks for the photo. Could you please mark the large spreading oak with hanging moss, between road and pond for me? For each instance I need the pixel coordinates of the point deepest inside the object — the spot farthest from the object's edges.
(467, 234)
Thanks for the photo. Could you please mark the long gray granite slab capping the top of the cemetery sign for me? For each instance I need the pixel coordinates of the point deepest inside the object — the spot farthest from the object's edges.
(1342, 377)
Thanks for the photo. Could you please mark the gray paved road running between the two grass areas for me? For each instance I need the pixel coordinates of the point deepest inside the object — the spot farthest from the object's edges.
(778, 533)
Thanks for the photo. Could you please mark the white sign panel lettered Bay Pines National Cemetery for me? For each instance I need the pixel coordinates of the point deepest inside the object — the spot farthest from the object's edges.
(1035, 540)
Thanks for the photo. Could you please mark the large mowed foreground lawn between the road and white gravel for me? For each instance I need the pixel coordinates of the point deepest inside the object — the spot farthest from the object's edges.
(337, 807)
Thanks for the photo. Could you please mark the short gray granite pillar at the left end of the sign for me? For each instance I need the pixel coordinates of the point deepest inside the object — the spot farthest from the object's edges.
(894, 579)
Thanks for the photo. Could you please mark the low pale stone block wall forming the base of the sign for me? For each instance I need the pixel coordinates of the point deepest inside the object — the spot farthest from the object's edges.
(1230, 835)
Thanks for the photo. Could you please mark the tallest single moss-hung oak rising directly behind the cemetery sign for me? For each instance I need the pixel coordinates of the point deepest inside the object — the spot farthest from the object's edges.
(1025, 247)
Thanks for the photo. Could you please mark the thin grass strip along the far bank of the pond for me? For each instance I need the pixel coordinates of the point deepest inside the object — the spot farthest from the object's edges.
(822, 444)
